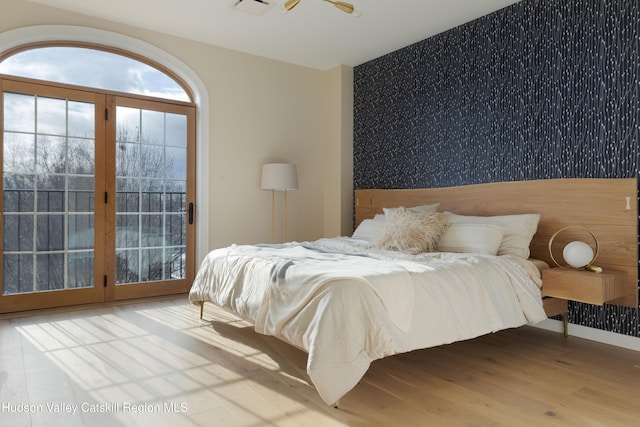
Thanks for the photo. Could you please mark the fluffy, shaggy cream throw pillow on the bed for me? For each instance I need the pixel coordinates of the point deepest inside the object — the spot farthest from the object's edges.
(410, 231)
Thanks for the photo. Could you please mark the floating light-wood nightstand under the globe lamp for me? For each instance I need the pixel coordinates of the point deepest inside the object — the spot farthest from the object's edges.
(583, 286)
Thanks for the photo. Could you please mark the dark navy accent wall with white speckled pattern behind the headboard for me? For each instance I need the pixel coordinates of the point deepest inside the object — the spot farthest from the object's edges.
(540, 89)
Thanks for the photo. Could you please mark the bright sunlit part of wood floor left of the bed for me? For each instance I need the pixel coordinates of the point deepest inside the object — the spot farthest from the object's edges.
(149, 364)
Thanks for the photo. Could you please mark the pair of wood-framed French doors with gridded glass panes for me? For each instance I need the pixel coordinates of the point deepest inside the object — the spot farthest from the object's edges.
(97, 196)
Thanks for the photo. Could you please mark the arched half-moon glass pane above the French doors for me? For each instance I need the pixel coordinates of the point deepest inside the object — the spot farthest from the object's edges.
(93, 68)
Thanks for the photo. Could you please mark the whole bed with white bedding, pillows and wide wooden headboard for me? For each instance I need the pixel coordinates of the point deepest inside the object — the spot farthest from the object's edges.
(388, 289)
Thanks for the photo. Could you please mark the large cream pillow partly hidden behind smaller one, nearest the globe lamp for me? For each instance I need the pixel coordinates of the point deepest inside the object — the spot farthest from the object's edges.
(518, 230)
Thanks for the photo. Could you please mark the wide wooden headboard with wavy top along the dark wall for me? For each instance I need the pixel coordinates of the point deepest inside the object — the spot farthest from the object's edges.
(608, 207)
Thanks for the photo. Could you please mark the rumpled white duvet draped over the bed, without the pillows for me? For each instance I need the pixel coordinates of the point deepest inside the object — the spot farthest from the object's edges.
(346, 305)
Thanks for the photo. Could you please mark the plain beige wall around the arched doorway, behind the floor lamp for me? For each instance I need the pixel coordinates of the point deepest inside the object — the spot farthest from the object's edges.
(259, 111)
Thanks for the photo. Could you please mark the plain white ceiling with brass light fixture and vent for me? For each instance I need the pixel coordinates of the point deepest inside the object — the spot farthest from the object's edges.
(314, 34)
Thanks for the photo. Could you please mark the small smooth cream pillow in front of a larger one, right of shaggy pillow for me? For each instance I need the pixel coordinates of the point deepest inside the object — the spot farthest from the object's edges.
(471, 238)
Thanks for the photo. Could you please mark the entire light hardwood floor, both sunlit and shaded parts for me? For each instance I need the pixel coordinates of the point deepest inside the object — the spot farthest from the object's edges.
(155, 363)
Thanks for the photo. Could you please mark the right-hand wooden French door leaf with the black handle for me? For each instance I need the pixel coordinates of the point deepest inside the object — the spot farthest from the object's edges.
(154, 223)
